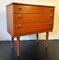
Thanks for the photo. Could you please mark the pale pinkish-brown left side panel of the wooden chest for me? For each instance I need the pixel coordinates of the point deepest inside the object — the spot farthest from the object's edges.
(10, 19)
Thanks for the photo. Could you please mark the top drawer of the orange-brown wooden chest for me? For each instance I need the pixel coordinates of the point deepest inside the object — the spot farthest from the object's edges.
(32, 9)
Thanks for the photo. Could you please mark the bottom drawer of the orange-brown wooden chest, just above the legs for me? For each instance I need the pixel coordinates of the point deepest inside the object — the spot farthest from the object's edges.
(31, 27)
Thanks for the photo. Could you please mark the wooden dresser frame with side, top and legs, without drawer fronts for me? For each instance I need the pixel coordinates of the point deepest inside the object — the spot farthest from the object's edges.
(10, 26)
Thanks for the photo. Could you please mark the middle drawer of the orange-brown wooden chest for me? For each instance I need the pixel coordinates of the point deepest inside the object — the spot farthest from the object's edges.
(30, 18)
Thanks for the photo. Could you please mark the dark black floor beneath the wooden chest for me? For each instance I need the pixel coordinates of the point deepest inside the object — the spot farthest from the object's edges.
(30, 50)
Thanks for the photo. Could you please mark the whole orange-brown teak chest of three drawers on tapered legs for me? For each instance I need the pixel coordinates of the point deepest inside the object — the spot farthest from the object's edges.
(23, 19)
